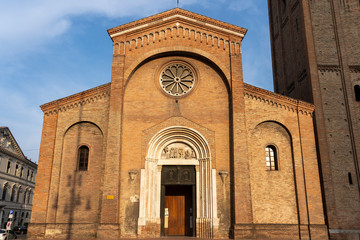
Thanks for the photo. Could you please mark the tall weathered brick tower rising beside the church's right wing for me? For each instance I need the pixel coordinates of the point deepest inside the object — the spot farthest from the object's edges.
(324, 45)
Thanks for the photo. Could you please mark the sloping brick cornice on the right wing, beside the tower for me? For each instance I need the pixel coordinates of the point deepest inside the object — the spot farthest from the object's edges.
(278, 100)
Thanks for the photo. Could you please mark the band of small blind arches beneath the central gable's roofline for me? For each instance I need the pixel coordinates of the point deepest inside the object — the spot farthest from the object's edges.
(179, 32)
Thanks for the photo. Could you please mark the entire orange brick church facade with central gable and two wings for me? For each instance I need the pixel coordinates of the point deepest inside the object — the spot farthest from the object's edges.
(178, 144)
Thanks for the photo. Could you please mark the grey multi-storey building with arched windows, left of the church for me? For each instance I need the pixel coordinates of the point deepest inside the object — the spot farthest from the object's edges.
(17, 181)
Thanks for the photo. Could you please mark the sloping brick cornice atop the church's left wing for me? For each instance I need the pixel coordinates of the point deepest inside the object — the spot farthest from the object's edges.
(76, 100)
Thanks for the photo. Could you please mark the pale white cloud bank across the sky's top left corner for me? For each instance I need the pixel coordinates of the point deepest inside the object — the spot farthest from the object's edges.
(26, 25)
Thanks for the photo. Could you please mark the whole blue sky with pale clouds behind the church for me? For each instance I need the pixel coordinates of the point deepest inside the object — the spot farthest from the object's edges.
(53, 49)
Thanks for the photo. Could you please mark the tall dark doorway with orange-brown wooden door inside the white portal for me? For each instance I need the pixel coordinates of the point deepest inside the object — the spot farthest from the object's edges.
(178, 204)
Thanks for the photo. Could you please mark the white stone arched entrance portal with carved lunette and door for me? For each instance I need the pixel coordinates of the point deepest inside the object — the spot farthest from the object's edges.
(178, 158)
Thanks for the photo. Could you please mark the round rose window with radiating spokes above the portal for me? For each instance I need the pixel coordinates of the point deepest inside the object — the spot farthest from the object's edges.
(177, 79)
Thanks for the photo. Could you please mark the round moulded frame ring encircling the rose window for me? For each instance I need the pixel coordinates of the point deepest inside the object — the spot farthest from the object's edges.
(189, 66)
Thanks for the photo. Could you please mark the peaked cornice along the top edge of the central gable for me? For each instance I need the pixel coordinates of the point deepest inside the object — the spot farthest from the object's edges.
(200, 19)
